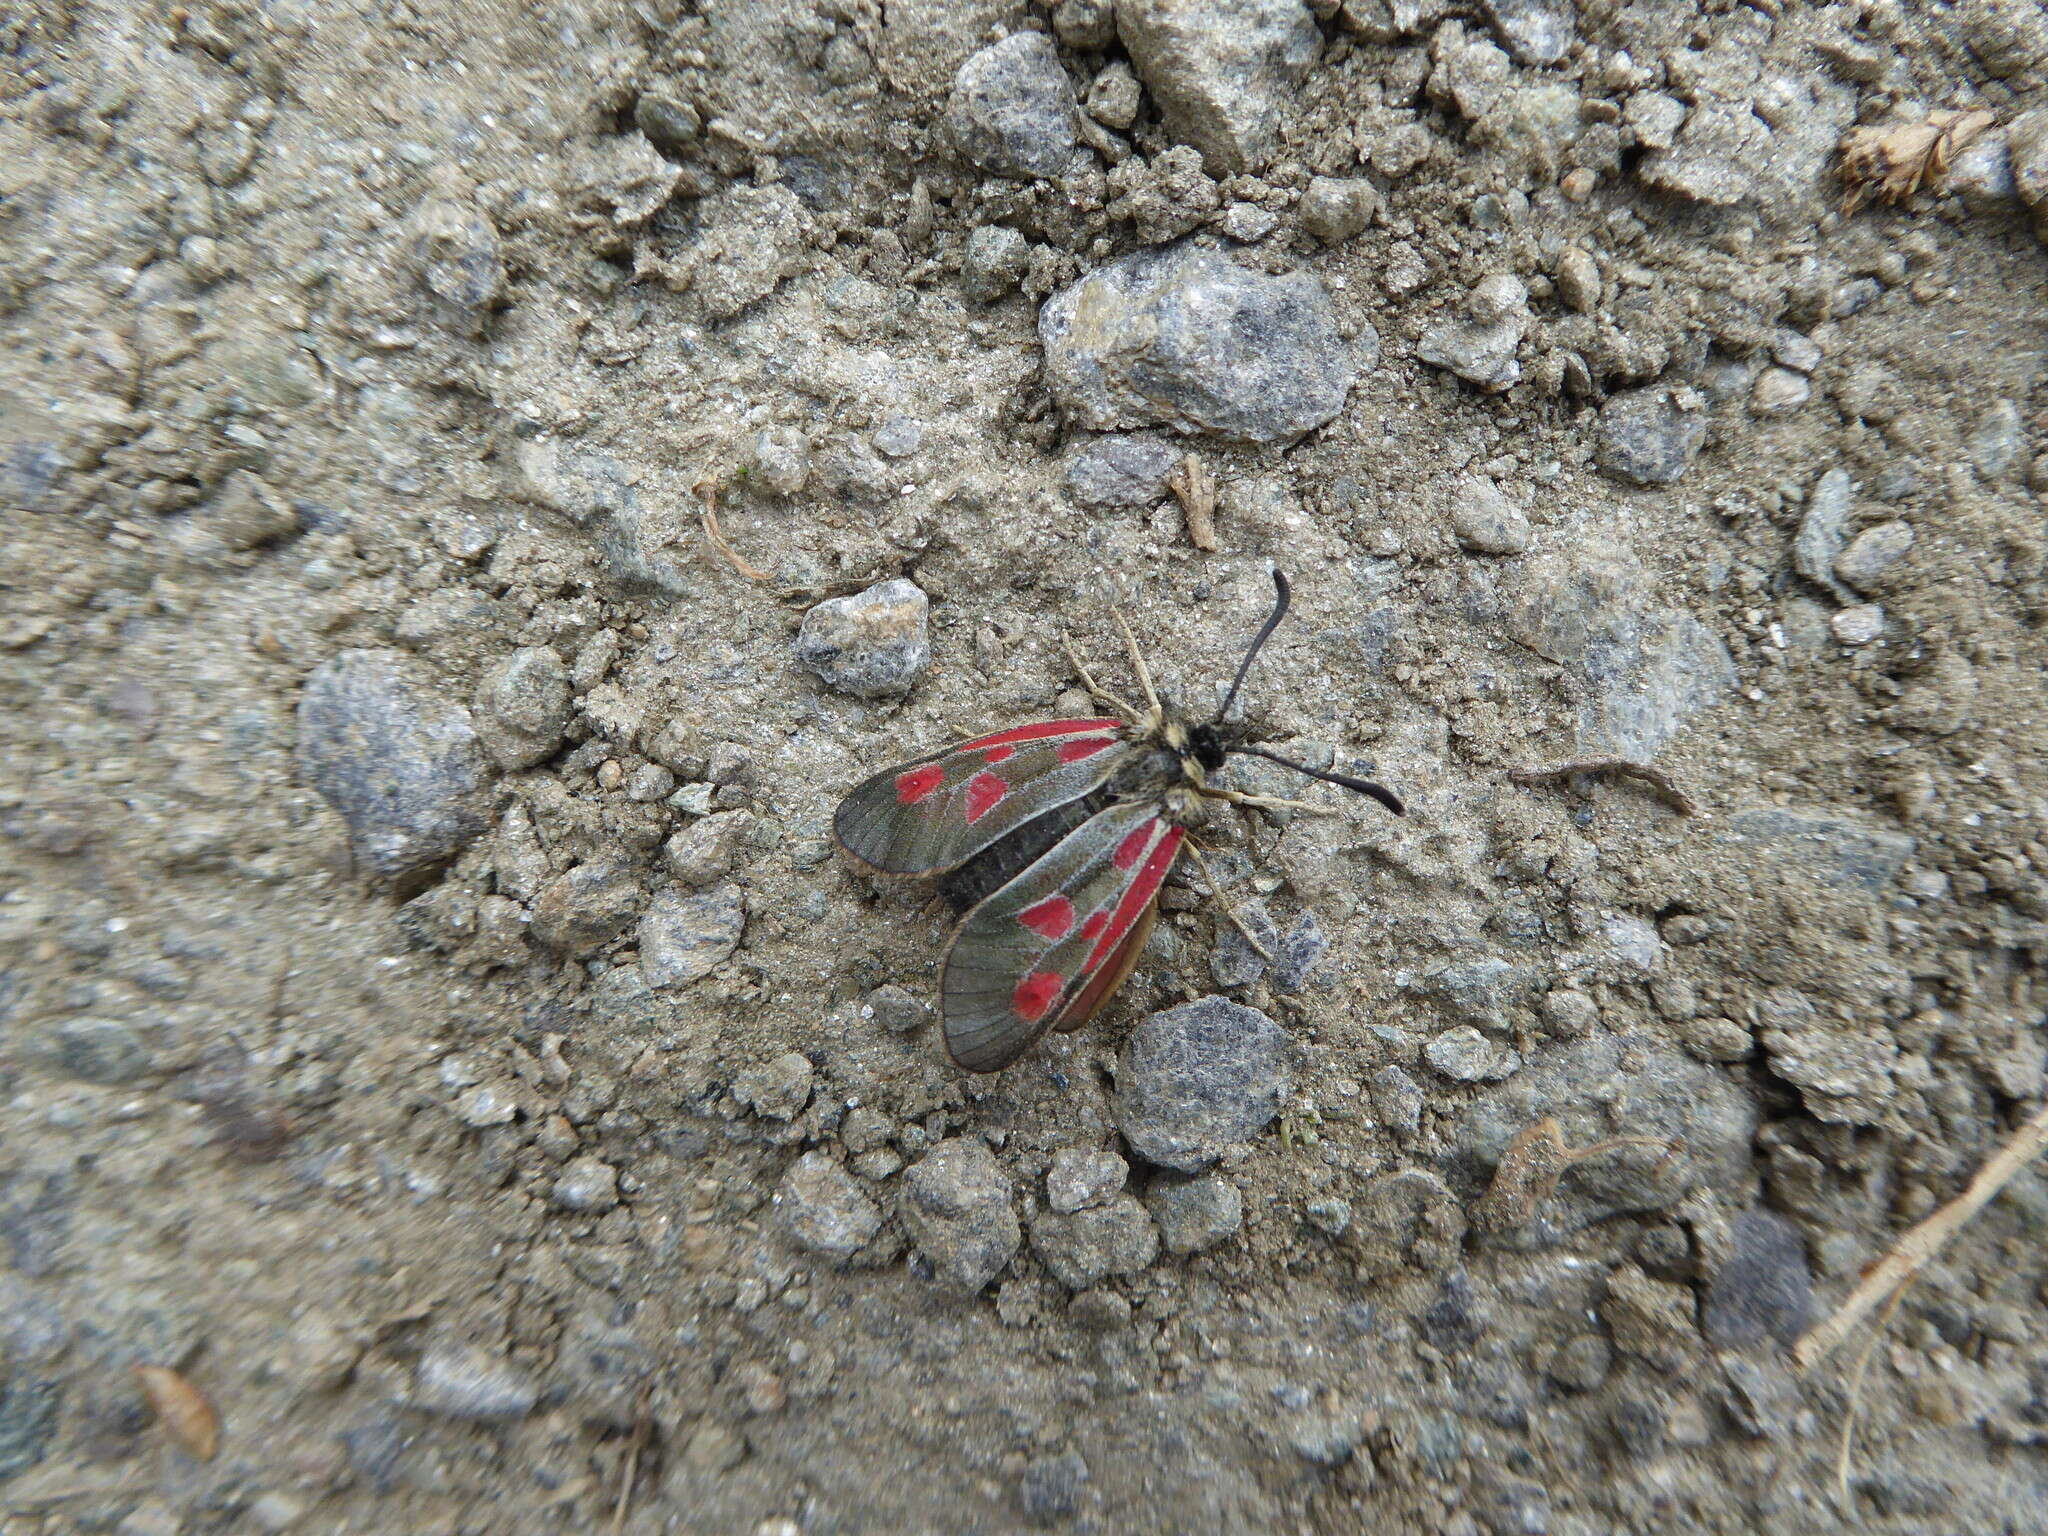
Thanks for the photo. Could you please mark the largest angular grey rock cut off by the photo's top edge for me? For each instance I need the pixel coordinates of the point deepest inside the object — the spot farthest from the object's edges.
(1224, 73)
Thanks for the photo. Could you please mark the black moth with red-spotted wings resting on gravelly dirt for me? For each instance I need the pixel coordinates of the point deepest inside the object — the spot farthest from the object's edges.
(1054, 841)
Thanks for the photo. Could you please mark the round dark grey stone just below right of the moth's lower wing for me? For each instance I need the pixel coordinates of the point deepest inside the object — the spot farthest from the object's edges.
(1199, 1080)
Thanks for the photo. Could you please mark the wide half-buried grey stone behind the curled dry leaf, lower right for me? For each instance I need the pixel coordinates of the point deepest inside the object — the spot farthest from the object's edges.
(1613, 1086)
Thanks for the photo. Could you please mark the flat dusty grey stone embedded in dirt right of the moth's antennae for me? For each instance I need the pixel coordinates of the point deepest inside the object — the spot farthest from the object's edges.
(1644, 671)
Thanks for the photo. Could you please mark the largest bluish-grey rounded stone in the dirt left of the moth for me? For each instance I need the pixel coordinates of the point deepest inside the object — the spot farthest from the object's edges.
(400, 765)
